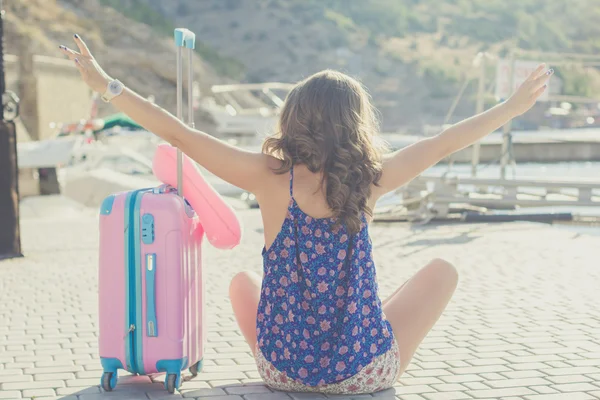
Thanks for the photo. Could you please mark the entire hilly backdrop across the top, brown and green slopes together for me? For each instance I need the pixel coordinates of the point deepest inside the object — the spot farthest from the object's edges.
(411, 54)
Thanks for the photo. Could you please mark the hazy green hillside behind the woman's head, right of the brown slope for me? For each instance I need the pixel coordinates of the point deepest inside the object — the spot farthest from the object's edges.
(412, 54)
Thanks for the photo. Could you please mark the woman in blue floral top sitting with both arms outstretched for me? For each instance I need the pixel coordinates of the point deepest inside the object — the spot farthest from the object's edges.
(314, 321)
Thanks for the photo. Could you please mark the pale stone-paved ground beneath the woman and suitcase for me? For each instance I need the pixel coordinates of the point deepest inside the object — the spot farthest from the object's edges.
(524, 324)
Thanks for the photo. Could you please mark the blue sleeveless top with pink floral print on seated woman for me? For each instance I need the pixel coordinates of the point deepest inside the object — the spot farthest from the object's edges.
(319, 319)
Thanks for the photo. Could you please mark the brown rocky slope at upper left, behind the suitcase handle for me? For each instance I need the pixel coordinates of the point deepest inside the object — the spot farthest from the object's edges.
(136, 52)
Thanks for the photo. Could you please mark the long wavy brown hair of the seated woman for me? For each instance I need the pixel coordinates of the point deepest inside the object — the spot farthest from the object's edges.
(329, 124)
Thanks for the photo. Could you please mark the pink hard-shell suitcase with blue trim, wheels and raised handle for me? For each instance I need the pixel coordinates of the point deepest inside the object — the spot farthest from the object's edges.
(151, 289)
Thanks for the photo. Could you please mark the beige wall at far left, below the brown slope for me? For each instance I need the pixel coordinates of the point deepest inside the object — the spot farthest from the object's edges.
(61, 94)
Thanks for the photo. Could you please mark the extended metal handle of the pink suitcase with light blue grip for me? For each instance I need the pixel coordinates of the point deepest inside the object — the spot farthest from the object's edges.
(184, 38)
